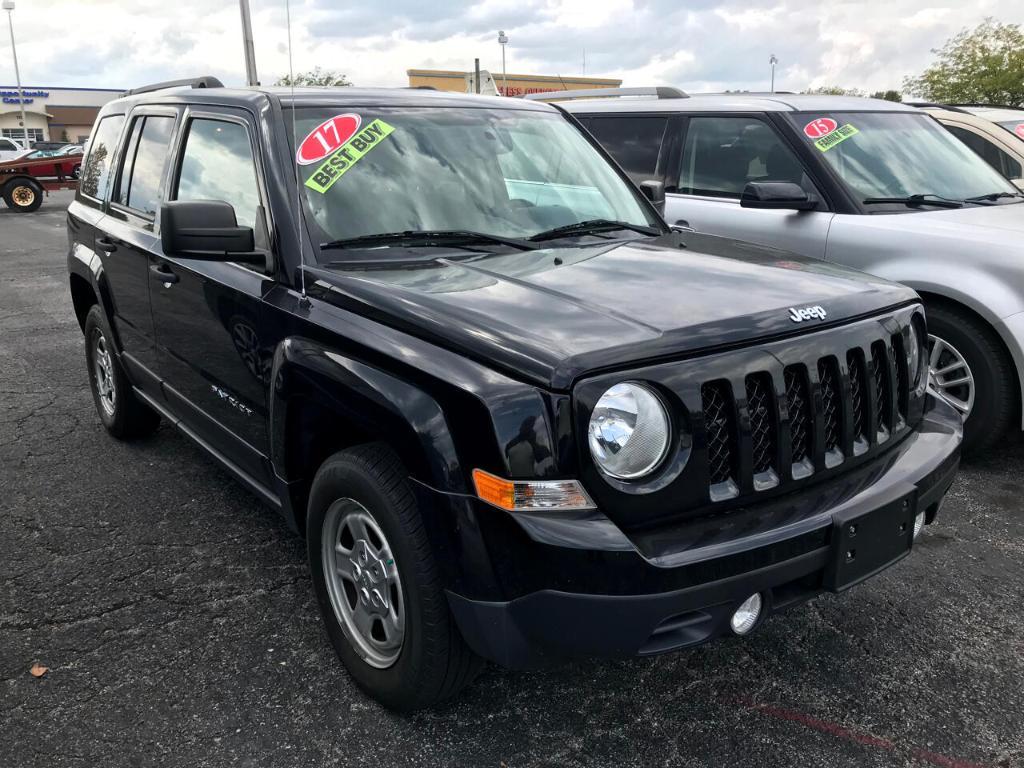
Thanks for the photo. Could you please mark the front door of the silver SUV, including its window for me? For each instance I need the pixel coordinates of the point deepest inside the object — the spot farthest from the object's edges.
(718, 155)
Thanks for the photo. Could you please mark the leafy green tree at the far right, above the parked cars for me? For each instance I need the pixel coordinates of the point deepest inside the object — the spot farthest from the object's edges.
(980, 66)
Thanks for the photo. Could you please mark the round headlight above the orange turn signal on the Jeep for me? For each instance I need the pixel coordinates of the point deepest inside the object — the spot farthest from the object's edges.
(629, 432)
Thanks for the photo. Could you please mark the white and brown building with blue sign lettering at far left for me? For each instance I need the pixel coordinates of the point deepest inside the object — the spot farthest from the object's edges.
(53, 114)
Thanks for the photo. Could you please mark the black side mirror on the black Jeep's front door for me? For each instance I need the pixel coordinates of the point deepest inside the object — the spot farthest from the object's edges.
(206, 230)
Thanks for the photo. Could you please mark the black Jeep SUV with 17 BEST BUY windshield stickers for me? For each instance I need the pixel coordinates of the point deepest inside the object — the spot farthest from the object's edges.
(516, 416)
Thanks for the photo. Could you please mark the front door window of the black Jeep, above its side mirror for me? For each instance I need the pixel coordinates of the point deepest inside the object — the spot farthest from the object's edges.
(219, 164)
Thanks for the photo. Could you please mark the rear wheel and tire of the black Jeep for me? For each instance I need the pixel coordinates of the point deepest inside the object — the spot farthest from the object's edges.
(123, 414)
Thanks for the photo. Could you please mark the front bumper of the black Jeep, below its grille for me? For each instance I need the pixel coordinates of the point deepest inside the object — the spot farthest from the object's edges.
(607, 602)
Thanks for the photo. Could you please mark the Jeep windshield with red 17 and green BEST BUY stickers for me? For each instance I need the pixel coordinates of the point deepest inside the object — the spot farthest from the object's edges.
(507, 174)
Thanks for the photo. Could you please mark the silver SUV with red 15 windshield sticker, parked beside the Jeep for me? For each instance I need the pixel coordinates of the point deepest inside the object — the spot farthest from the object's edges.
(872, 185)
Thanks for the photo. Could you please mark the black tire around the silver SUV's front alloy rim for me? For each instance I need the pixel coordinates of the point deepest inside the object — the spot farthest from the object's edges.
(995, 376)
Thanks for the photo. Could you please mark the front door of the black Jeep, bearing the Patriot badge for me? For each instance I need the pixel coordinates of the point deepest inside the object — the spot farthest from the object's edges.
(207, 314)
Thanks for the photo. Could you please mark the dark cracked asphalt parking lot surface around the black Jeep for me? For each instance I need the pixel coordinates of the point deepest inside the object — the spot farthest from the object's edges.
(179, 626)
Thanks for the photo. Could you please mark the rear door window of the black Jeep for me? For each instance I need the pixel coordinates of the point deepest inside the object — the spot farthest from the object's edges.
(146, 159)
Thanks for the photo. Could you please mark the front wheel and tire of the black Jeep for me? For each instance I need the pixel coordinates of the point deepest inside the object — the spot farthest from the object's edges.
(377, 584)
